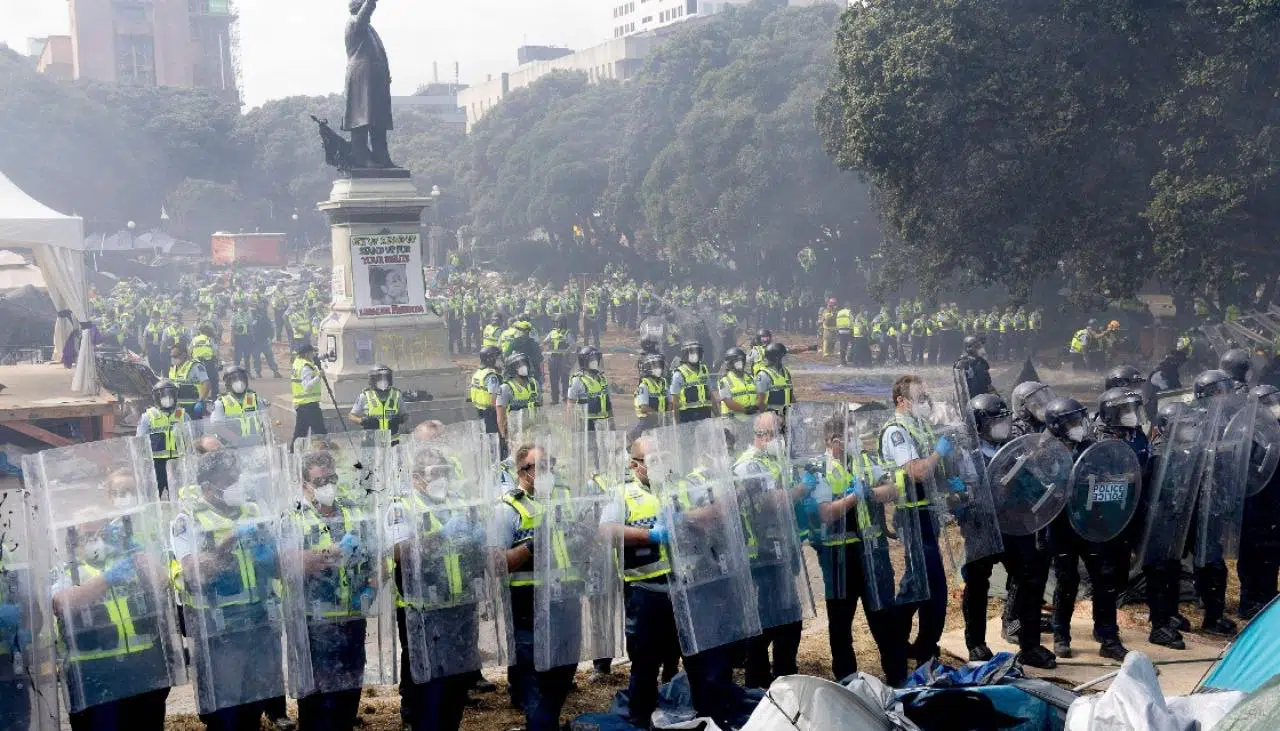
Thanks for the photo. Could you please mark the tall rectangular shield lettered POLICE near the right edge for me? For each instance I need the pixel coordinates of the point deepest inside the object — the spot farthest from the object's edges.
(1224, 482)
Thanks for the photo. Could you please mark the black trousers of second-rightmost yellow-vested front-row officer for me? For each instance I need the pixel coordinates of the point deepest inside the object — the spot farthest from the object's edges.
(845, 581)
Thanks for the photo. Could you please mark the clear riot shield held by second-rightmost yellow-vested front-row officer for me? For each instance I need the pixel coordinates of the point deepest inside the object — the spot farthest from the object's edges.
(893, 538)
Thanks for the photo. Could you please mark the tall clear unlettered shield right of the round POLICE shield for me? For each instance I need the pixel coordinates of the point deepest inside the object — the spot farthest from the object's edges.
(1174, 490)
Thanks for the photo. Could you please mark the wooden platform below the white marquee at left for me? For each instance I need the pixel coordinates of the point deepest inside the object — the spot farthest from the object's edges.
(36, 398)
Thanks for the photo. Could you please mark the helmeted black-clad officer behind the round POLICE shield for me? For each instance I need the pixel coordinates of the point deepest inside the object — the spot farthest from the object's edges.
(1107, 563)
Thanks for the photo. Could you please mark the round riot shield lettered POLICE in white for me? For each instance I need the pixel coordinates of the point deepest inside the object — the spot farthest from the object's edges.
(1028, 481)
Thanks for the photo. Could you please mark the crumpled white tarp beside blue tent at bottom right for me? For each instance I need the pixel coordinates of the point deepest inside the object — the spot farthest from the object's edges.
(1136, 703)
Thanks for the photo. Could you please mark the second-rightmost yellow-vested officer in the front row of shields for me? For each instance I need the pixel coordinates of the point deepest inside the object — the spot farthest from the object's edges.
(854, 479)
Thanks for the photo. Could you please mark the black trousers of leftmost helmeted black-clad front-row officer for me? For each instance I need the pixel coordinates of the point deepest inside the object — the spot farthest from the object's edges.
(1027, 566)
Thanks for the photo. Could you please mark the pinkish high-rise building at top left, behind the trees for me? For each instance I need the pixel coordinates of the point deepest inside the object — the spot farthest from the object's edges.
(188, 44)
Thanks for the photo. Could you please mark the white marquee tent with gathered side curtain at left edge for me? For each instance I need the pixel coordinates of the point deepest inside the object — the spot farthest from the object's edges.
(58, 244)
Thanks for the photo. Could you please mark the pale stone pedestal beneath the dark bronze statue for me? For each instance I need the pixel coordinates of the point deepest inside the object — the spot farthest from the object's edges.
(380, 312)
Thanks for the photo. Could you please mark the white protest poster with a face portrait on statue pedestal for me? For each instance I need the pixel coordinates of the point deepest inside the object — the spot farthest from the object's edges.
(387, 276)
